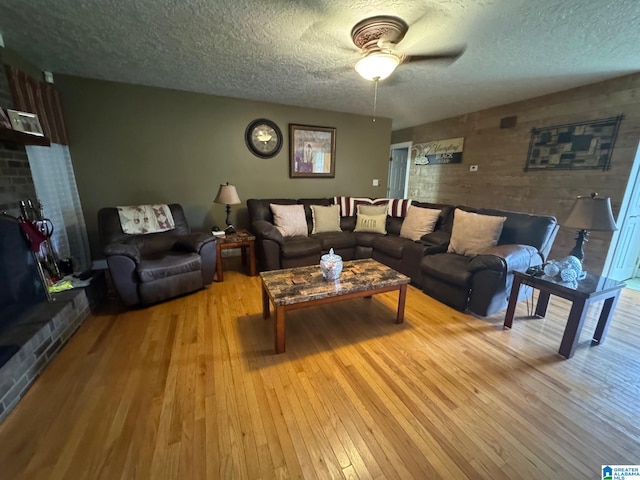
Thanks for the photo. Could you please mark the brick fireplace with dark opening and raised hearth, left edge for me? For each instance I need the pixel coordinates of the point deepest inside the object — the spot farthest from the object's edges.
(32, 329)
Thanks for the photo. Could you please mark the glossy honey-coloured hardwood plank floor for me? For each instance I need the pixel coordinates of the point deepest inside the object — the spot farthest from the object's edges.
(192, 389)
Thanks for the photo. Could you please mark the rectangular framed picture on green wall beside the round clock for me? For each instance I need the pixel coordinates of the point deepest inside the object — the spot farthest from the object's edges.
(312, 151)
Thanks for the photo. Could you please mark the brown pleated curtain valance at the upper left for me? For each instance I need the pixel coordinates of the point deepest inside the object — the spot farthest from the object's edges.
(33, 96)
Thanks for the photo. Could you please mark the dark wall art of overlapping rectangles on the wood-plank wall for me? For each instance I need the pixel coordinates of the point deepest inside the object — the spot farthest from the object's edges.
(574, 146)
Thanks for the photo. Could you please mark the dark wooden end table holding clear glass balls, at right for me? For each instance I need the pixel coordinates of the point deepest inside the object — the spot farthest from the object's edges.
(581, 294)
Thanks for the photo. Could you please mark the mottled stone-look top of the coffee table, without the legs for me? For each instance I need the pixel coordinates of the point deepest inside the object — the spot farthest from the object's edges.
(302, 284)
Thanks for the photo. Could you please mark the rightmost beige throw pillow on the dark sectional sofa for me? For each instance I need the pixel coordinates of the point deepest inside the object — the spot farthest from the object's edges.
(473, 233)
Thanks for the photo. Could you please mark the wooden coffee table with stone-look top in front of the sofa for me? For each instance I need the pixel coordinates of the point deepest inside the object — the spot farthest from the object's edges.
(301, 287)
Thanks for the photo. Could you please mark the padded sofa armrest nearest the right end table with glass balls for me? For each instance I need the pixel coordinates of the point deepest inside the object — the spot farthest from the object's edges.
(506, 258)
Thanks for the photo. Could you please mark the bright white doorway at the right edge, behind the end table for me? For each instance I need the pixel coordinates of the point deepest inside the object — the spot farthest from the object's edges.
(624, 252)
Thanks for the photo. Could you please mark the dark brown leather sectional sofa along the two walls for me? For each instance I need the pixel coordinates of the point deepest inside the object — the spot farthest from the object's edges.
(480, 284)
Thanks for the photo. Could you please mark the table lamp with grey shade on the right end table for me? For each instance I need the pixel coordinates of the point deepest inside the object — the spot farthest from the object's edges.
(589, 213)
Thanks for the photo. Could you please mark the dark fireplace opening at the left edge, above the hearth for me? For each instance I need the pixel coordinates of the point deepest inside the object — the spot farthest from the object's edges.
(22, 292)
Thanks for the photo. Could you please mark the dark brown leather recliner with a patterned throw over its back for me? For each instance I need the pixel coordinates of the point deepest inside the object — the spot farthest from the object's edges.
(149, 268)
